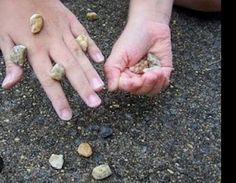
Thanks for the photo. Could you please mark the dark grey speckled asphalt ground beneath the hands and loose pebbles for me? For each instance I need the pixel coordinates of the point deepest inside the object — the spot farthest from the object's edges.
(175, 137)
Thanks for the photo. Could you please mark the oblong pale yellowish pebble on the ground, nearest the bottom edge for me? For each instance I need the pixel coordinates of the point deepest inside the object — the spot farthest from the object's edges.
(101, 172)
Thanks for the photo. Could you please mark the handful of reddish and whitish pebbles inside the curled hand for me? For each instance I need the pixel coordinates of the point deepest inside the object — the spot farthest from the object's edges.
(150, 63)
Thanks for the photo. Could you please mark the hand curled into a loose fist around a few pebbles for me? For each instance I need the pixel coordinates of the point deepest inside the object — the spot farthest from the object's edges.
(136, 41)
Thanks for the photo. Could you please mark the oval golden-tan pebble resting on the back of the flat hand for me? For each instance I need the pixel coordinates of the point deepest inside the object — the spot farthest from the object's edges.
(36, 23)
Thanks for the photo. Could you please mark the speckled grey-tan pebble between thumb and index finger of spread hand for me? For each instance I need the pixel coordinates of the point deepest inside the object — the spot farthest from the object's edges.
(18, 54)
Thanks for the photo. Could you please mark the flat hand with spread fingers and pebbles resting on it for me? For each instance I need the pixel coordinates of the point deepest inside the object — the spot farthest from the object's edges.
(56, 42)
